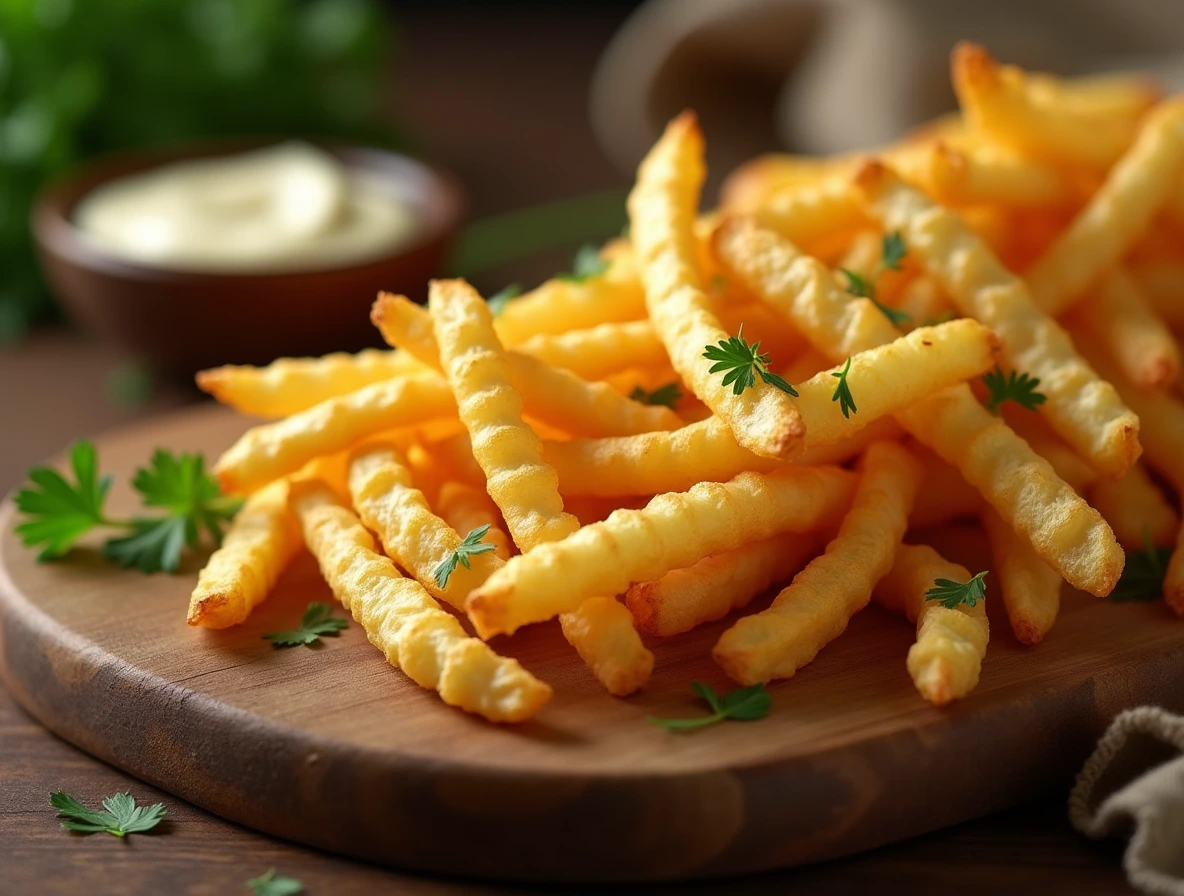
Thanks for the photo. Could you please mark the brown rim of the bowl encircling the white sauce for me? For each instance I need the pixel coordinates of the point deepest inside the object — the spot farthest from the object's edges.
(55, 231)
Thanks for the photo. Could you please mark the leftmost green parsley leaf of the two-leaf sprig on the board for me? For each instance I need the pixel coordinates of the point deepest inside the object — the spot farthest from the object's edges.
(62, 513)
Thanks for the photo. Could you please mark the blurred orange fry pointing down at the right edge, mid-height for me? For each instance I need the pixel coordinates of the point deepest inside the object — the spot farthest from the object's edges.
(1118, 318)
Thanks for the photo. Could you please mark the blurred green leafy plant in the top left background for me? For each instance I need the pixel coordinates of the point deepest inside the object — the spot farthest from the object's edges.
(80, 79)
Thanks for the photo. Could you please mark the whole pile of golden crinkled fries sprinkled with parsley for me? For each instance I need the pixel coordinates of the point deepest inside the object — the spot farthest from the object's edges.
(619, 452)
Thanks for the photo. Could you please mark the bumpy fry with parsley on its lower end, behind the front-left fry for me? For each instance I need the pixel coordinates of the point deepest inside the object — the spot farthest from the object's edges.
(410, 533)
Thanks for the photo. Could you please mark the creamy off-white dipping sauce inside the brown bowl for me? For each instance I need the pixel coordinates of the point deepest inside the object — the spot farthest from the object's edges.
(287, 208)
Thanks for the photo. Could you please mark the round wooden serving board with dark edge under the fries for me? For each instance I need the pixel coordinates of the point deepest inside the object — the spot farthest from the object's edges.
(334, 749)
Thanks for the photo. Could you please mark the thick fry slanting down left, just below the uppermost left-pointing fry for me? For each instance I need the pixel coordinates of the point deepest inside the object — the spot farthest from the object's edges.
(273, 450)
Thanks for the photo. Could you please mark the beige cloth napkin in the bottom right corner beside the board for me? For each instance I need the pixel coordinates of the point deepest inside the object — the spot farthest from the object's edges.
(1135, 784)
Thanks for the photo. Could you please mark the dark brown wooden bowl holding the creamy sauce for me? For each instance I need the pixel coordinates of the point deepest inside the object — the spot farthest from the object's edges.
(183, 321)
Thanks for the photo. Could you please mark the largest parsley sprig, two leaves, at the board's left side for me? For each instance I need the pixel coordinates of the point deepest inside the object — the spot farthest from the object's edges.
(60, 512)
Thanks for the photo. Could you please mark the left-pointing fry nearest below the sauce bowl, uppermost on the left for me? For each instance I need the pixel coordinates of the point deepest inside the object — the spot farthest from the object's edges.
(291, 385)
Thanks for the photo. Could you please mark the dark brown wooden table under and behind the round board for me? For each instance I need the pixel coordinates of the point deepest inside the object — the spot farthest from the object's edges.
(500, 100)
